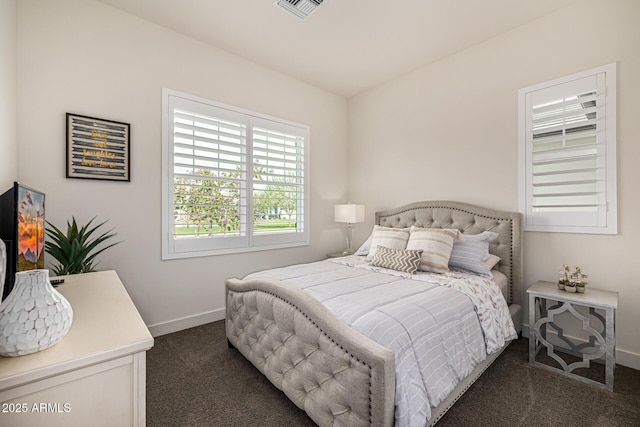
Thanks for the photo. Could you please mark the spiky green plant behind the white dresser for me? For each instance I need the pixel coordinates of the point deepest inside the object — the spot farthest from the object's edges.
(75, 251)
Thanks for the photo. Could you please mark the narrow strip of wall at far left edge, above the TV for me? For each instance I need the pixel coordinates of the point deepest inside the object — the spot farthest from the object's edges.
(8, 139)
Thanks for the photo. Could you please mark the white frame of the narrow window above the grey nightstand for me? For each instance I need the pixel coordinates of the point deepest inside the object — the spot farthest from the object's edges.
(606, 157)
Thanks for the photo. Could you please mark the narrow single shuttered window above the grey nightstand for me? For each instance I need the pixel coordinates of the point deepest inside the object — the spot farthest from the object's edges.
(567, 137)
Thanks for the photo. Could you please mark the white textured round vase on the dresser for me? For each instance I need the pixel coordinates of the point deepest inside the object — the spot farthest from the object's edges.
(34, 316)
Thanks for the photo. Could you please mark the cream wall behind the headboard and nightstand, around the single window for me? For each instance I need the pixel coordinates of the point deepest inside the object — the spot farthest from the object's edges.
(449, 131)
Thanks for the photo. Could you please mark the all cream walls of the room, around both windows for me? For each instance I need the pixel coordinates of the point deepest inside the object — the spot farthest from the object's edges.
(446, 131)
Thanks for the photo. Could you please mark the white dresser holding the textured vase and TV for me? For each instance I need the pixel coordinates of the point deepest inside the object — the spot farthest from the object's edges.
(95, 376)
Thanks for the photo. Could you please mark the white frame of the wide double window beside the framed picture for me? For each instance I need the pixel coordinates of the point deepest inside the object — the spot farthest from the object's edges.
(250, 242)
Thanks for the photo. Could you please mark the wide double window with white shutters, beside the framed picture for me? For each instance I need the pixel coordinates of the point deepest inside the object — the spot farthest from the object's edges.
(233, 180)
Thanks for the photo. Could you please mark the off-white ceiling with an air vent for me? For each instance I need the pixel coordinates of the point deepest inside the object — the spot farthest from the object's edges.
(345, 46)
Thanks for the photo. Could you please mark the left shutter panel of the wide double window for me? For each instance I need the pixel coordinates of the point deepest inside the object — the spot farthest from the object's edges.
(209, 177)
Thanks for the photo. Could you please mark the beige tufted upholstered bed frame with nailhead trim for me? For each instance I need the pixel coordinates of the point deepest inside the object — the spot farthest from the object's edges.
(335, 374)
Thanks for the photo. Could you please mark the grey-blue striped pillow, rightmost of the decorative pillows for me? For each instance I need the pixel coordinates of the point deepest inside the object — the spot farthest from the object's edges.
(472, 253)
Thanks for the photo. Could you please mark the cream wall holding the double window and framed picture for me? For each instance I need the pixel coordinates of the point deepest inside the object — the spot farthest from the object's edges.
(87, 58)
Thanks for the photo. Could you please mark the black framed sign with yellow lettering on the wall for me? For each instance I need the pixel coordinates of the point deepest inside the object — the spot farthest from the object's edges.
(97, 148)
